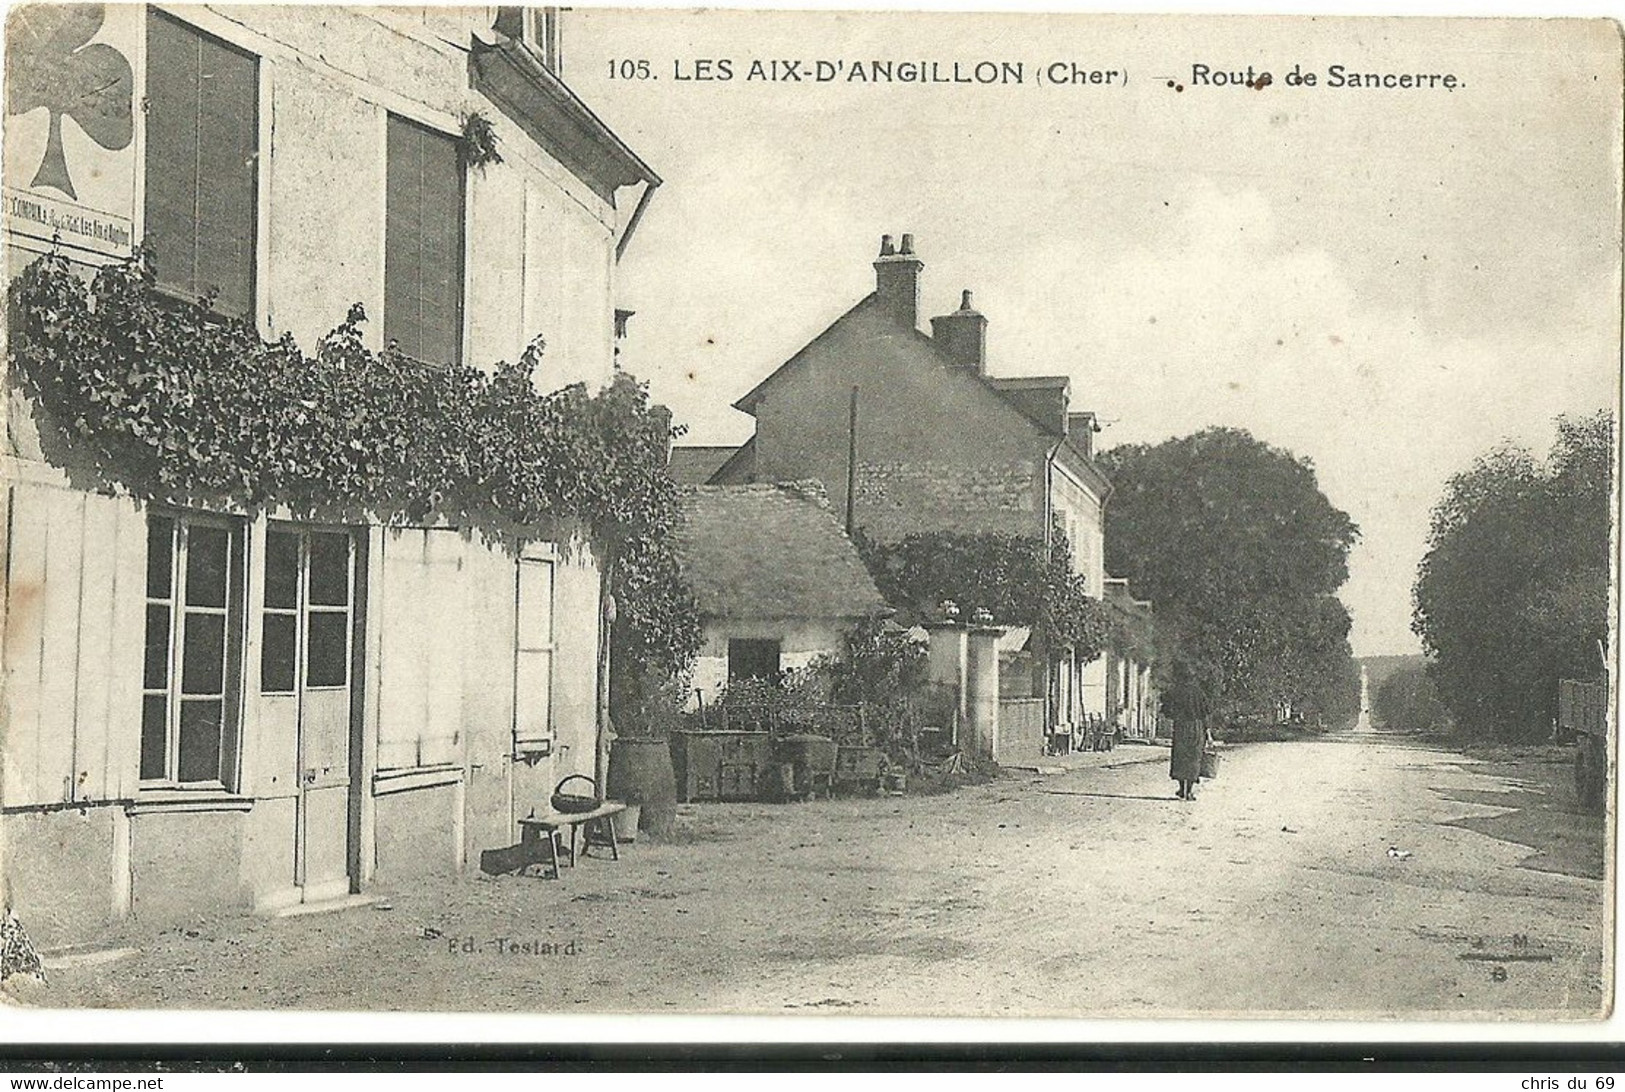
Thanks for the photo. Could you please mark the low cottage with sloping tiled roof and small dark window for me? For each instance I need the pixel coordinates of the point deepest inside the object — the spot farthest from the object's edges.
(776, 578)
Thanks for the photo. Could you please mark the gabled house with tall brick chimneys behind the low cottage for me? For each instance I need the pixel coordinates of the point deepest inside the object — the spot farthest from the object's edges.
(911, 431)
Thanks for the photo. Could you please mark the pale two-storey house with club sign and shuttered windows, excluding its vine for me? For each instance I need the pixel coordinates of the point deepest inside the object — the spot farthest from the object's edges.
(215, 709)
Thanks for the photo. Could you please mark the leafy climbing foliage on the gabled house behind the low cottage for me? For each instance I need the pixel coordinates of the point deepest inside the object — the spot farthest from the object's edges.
(1015, 578)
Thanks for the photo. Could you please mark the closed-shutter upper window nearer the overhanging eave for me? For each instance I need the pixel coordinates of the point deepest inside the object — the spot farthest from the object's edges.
(423, 245)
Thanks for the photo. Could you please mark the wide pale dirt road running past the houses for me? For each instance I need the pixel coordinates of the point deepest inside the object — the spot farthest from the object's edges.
(1088, 893)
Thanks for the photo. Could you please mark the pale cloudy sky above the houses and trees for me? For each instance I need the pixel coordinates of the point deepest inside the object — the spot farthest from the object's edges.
(1385, 282)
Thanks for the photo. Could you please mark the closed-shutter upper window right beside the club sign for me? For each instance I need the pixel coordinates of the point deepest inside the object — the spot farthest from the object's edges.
(202, 152)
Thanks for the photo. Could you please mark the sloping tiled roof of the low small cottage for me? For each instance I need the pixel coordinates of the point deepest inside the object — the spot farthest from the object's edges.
(773, 552)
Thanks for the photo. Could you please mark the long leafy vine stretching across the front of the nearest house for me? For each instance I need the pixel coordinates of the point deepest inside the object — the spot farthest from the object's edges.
(178, 404)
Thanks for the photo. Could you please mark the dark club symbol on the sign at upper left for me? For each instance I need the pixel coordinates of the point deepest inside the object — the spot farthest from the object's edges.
(51, 66)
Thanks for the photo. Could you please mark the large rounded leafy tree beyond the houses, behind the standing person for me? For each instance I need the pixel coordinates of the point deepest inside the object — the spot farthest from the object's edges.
(1242, 555)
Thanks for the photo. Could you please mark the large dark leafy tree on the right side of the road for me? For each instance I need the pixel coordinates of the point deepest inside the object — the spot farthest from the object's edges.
(1514, 591)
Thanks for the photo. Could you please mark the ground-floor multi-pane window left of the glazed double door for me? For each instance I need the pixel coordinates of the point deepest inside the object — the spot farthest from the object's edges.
(194, 631)
